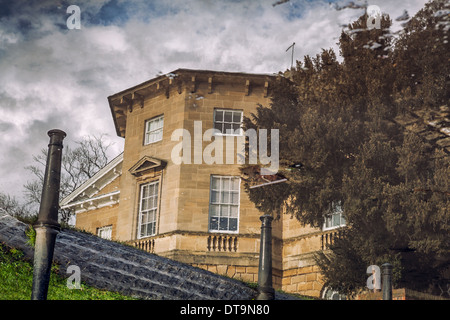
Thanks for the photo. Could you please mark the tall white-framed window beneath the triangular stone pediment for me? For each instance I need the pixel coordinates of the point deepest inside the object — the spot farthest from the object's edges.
(149, 211)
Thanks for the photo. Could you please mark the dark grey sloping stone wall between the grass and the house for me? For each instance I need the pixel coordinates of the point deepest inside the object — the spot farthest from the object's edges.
(116, 267)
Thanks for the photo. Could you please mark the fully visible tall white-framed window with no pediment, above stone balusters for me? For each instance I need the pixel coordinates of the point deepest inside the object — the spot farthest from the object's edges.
(221, 202)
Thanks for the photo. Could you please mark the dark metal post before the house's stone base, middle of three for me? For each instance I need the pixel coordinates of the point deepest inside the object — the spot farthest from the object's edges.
(265, 289)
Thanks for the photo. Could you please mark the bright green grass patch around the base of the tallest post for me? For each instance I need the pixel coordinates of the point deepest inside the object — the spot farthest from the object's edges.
(16, 277)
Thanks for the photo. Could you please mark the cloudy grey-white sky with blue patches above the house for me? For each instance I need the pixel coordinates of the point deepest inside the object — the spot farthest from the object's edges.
(54, 77)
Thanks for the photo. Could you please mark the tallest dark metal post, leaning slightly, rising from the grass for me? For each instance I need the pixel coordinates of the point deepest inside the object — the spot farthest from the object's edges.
(47, 226)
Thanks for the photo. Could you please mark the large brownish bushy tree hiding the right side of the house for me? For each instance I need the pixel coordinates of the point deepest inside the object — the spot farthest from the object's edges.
(338, 120)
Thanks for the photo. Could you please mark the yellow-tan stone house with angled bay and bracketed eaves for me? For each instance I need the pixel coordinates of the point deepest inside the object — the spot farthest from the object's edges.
(177, 191)
